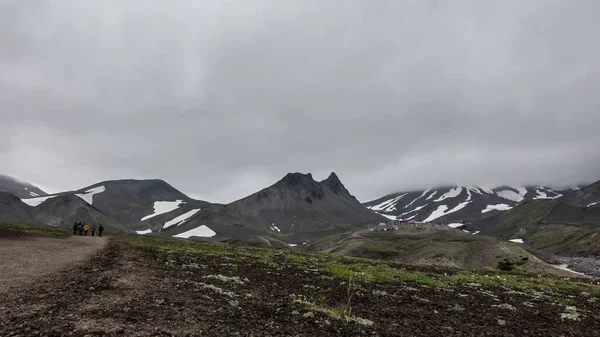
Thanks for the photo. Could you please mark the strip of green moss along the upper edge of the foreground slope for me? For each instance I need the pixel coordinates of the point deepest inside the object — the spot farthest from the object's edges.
(364, 270)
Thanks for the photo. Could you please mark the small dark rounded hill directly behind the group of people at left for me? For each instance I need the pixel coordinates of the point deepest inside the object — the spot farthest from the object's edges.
(64, 210)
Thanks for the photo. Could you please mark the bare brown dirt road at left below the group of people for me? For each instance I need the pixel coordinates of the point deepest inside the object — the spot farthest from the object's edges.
(25, 260)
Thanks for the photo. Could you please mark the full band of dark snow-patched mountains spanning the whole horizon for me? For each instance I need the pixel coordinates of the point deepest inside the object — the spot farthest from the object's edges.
(297, 207)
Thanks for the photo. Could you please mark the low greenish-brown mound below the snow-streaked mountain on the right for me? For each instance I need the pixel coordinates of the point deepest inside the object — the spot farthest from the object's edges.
(441, 246)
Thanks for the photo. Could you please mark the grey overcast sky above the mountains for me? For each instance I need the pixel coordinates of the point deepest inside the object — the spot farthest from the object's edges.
(222, 98)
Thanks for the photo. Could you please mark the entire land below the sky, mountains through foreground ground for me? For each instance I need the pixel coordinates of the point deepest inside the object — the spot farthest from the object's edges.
(300, 258)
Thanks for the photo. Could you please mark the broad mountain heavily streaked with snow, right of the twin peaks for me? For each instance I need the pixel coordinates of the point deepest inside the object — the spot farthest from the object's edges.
(456, 204)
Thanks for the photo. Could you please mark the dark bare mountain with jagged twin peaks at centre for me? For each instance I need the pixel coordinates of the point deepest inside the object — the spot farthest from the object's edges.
(295, 204)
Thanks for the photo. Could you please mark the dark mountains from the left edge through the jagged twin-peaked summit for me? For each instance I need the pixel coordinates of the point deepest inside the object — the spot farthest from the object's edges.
(295, 204)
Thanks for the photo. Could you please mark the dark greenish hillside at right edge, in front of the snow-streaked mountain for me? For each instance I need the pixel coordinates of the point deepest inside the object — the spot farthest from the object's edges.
(548, 225)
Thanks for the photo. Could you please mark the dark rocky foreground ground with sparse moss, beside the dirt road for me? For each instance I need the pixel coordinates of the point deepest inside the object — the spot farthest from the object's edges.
(150, 287)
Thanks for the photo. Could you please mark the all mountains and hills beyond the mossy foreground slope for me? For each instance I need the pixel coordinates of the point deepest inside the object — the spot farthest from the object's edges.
(545, 225)
